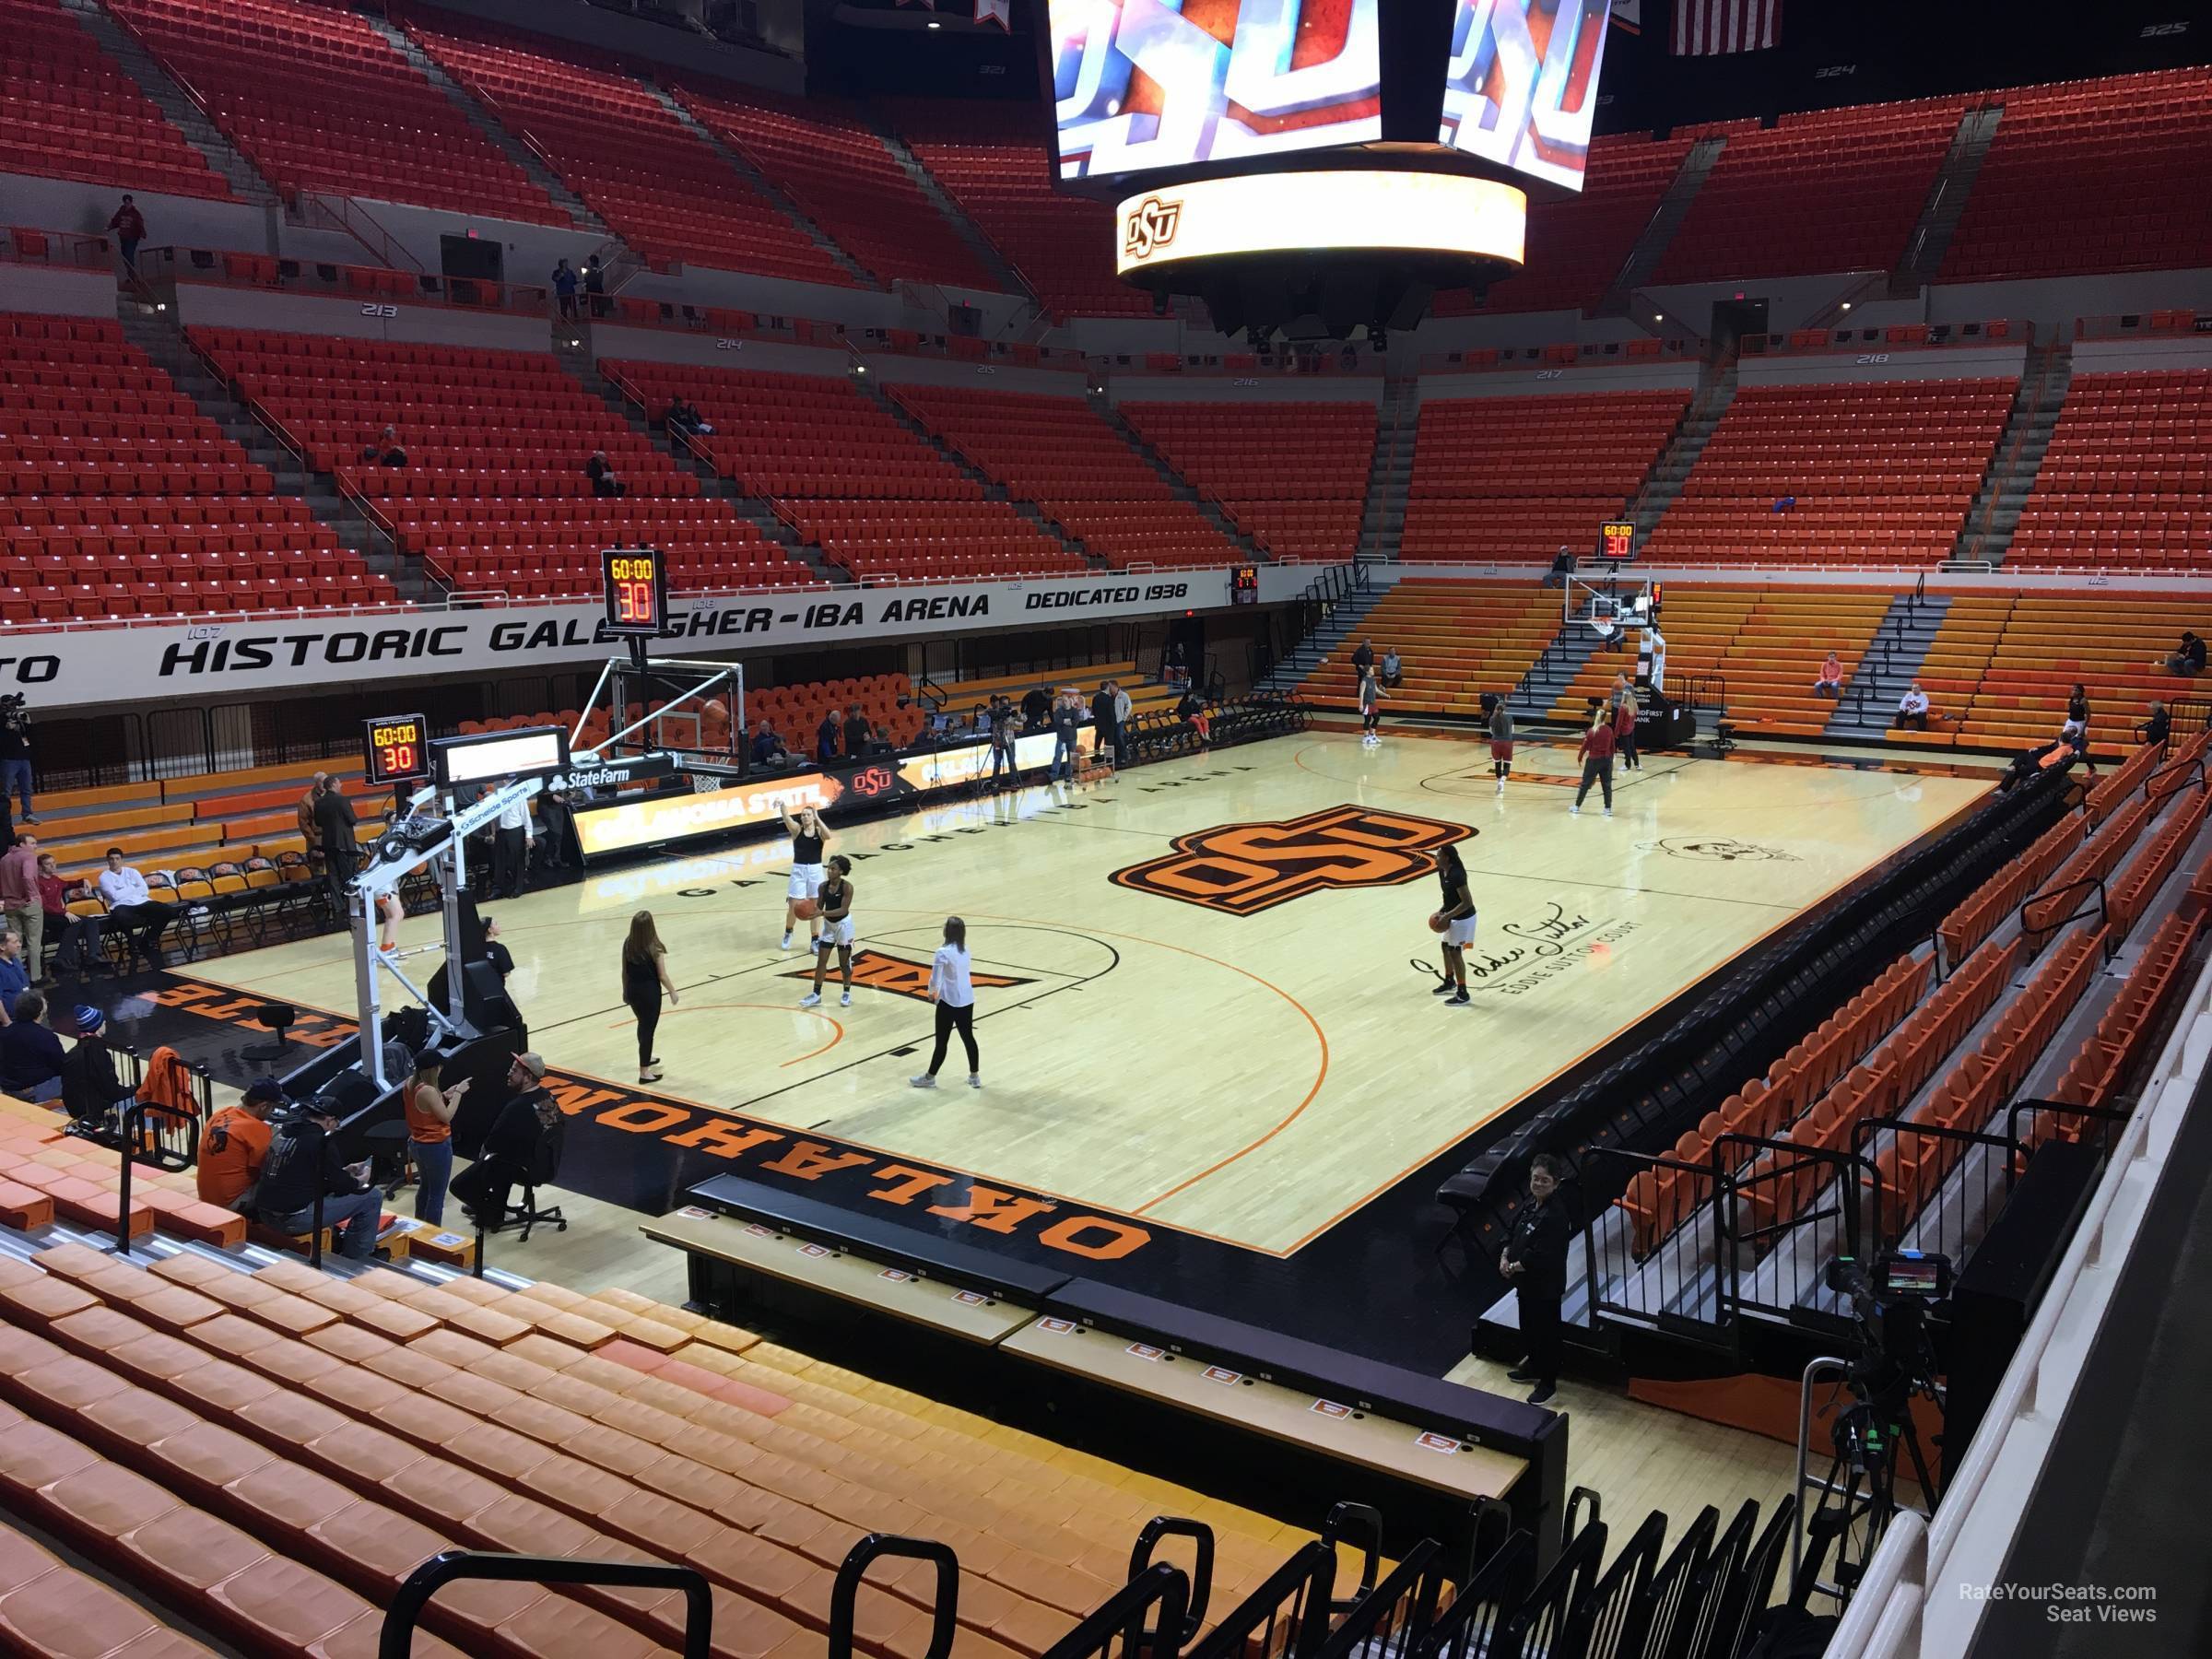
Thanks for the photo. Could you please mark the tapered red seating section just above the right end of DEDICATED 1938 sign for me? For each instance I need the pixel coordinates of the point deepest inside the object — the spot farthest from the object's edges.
(1291, 474)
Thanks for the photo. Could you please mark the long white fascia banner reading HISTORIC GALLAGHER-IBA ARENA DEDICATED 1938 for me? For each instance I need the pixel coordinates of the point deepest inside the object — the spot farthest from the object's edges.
(247, 656)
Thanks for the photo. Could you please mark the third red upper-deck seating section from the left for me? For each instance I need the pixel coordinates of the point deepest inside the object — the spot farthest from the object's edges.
(623, 152)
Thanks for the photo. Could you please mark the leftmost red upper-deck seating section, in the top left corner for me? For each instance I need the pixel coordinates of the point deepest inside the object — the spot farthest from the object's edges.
(76, 116)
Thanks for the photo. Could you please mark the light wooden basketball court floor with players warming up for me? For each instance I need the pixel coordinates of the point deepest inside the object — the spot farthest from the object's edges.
(1198, 990)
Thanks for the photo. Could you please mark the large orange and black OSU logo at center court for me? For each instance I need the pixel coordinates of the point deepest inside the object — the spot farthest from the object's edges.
(1246, 868)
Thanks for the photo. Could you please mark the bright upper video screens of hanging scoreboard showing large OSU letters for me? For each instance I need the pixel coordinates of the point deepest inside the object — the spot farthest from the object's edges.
(1154, 85)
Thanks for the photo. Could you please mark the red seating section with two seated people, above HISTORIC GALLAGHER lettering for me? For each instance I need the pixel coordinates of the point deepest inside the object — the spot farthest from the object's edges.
(494, 492)
